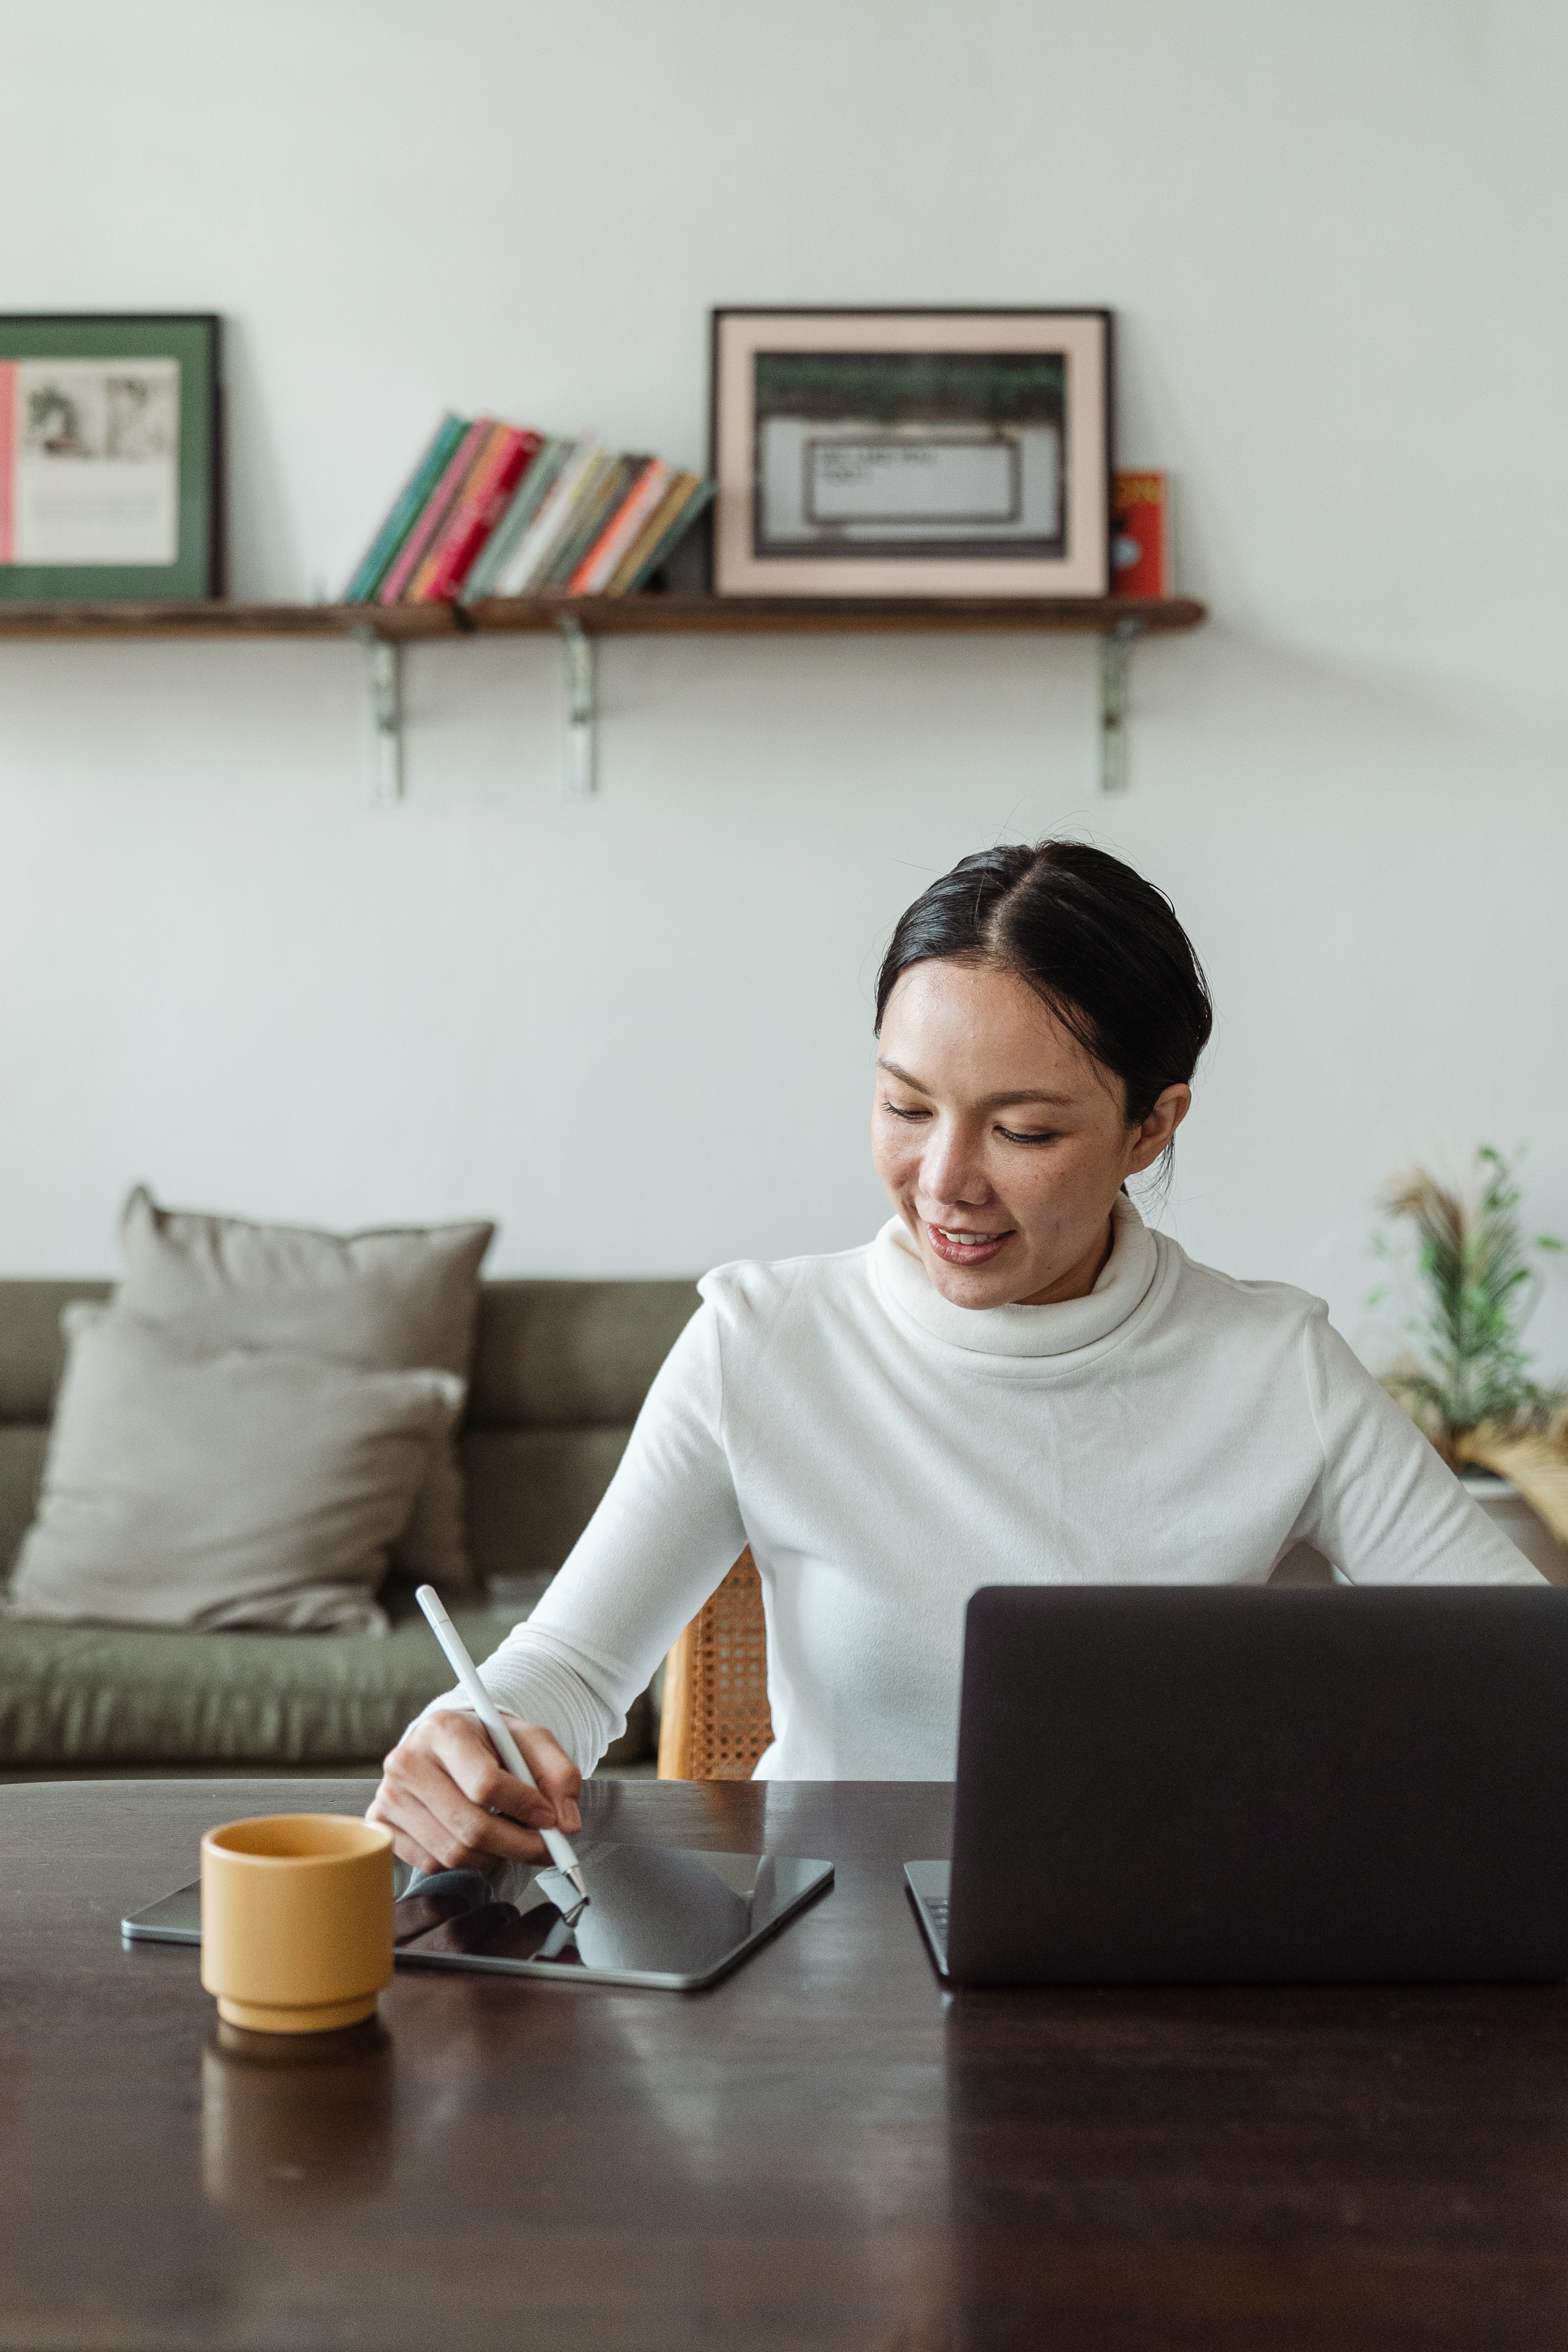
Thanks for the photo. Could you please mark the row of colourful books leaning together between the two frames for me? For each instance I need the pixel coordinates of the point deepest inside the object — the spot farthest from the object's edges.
(507, 512)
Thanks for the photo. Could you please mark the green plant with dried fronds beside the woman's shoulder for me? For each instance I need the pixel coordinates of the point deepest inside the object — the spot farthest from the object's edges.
(1466, 1379)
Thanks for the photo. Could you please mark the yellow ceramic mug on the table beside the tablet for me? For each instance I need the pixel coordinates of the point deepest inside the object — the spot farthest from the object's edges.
(297, 1920)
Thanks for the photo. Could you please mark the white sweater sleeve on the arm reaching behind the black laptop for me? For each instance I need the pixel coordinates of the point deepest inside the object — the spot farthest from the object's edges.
(1386, 1506)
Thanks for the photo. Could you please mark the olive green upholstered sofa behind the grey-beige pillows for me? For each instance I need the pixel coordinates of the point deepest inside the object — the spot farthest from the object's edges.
(561, 1372)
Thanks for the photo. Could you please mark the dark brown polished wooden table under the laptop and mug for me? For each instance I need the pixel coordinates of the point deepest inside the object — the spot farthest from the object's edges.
(822, 2153)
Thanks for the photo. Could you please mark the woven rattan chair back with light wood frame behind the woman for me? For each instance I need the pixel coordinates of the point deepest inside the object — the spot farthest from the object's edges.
(716, 1718)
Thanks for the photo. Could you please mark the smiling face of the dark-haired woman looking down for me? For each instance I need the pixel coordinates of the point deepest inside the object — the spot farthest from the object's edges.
(1000, 1140)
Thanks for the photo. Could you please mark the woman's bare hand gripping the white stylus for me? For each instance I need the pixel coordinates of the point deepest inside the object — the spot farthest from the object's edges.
(453, 1805)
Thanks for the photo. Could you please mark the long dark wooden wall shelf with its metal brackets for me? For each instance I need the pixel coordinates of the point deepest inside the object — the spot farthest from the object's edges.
(387, 629)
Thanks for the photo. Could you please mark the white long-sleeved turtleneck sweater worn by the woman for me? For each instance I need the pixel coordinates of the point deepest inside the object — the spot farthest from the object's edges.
(885, 1452)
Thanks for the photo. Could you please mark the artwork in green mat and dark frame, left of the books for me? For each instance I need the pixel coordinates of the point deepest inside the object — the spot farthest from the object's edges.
(109, 457)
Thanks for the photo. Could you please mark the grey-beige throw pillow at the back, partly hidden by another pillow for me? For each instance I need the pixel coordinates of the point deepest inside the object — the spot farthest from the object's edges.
(389, 1302)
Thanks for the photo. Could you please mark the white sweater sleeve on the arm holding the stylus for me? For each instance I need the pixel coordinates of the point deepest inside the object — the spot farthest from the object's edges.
(648, 1561)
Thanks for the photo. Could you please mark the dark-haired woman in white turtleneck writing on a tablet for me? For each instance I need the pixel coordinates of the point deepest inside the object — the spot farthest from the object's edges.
(1017, 1382)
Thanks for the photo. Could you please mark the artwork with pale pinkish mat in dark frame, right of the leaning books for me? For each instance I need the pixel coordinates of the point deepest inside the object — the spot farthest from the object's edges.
(911, 453)
